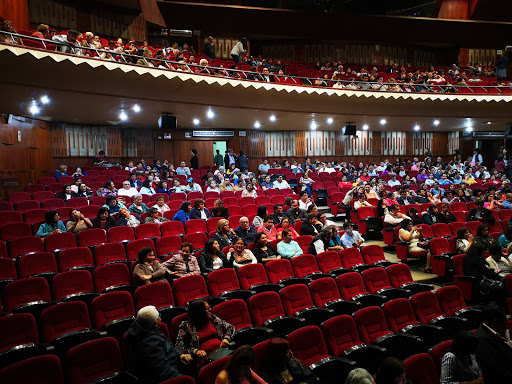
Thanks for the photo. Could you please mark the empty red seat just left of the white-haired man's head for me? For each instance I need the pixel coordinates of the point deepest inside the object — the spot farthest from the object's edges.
(113, 312)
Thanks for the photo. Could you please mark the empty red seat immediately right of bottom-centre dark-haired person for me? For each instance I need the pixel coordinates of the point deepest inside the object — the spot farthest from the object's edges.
(307, 345)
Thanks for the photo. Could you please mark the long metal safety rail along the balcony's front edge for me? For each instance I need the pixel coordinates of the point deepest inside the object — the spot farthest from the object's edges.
(238, 74)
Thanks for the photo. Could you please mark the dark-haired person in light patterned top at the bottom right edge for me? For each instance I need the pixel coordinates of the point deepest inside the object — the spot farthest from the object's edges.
(460, 365)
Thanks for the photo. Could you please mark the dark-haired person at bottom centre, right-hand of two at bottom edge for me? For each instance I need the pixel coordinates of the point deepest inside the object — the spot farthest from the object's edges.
(282, 367)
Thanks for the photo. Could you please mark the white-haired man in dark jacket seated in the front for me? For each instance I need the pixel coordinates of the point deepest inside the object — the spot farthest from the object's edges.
(153, 358)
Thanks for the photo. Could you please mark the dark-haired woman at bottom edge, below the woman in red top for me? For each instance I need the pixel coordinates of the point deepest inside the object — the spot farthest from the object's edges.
(238, 369)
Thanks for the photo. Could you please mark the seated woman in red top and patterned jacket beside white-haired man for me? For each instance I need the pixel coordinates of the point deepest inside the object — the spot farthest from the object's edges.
(203, 332)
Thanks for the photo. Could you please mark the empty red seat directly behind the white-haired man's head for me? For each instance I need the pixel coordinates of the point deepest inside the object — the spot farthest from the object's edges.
(159, 295)
